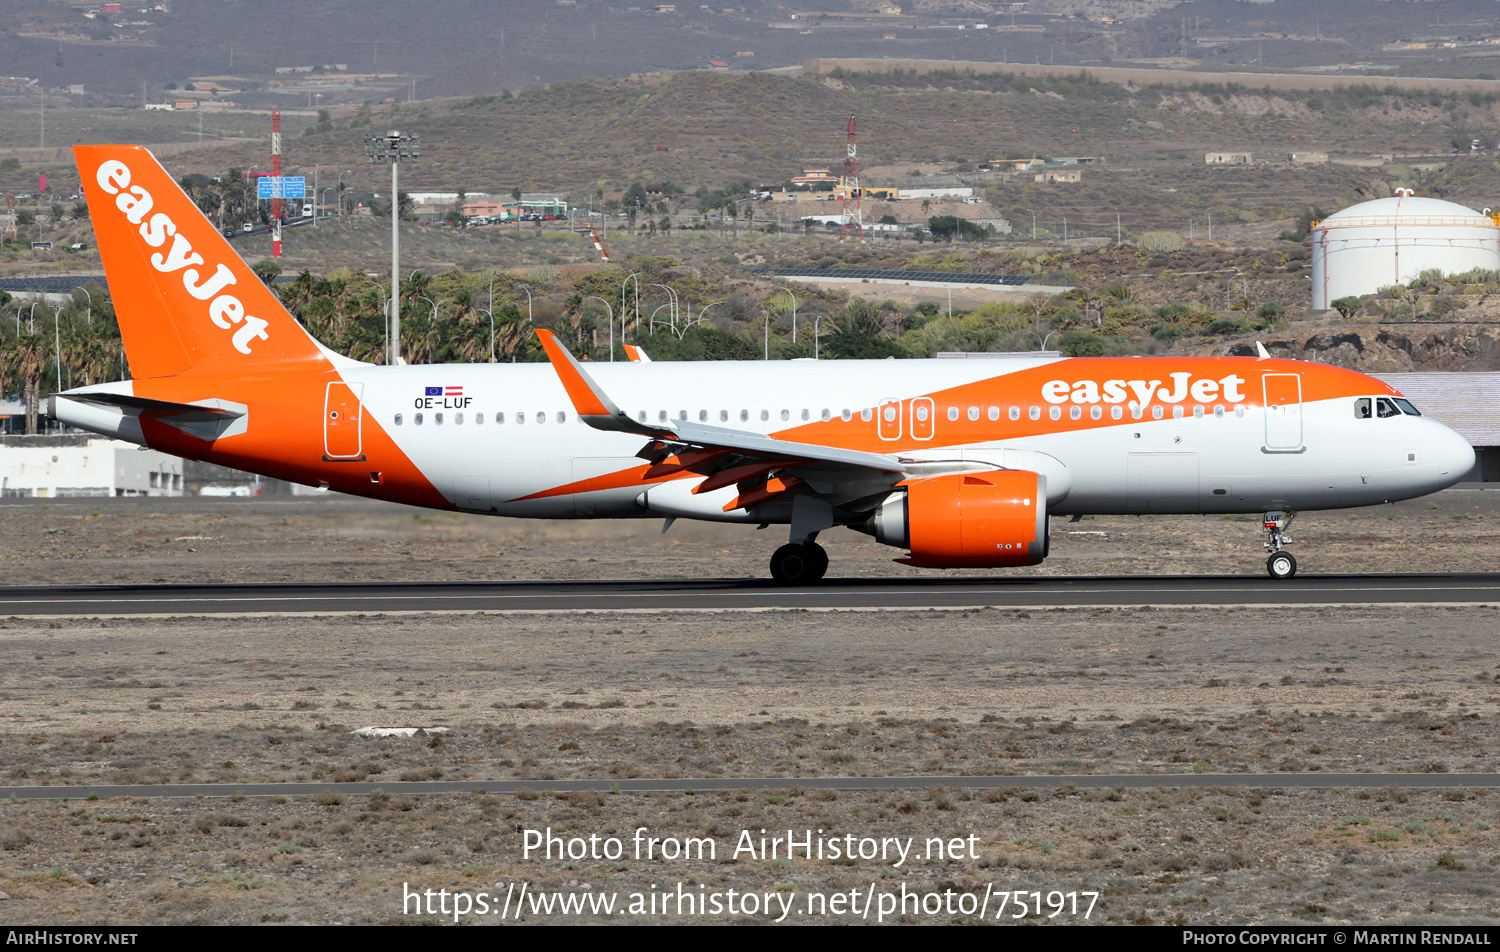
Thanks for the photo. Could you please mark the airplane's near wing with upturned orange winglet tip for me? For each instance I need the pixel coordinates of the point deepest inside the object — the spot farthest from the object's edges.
(709, 451)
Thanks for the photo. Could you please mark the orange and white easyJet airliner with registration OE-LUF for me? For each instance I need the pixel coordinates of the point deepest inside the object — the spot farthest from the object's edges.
(959, 463)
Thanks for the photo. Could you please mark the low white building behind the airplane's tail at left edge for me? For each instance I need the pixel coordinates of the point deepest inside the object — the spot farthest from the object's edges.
(85, 466)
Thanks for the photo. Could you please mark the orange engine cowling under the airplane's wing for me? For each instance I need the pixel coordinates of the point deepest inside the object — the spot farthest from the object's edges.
(968, 521)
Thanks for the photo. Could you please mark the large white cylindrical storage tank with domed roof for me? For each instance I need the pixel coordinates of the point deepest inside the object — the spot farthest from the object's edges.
(1391, 241)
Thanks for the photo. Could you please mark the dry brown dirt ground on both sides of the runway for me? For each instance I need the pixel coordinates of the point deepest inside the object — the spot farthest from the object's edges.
(544, 698)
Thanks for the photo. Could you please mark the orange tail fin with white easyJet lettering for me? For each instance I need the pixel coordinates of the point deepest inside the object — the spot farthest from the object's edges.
(184, 299)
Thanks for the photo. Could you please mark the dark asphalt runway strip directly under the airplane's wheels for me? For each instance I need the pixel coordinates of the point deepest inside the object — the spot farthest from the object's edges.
(752, 594)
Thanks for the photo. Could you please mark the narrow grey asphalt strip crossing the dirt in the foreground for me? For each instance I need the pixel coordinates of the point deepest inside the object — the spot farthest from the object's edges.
(707, 785)
